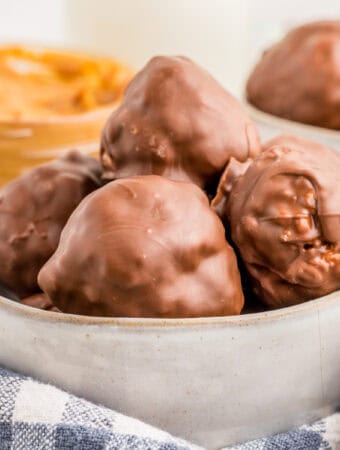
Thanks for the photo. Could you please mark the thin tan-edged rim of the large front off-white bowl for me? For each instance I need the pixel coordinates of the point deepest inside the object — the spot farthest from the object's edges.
(129, 322)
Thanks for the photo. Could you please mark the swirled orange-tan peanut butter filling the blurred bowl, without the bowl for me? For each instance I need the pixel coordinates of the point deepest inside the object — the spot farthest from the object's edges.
(36, 84)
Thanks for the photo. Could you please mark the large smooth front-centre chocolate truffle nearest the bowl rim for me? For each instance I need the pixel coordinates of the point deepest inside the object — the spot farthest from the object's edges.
(144, 246)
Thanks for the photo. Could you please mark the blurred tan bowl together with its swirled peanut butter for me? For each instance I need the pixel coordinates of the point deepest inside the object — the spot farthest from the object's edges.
(52, 100)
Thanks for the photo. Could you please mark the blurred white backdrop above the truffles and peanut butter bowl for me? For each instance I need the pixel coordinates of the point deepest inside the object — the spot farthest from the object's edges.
(225, 36)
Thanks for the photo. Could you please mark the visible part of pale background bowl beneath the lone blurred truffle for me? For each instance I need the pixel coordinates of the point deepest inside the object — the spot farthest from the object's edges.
(270, 126)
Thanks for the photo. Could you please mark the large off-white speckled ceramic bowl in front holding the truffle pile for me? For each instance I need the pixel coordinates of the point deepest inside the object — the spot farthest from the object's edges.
(214, 381)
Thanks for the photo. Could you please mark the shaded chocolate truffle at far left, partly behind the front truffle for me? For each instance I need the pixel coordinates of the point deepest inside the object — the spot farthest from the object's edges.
(33, 210)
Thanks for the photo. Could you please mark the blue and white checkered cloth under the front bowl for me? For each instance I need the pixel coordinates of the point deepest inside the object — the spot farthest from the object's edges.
(37, 416)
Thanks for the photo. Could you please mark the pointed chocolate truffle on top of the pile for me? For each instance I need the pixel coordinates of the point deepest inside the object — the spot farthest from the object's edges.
(176, 121)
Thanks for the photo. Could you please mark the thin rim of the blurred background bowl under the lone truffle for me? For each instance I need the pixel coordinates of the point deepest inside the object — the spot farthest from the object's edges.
(286, 124)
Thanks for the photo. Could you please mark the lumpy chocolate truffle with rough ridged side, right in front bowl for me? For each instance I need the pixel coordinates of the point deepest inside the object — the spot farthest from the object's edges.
(285, 220)
